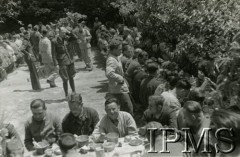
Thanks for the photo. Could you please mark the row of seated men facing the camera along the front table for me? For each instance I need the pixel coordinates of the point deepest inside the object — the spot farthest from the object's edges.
(83, 120)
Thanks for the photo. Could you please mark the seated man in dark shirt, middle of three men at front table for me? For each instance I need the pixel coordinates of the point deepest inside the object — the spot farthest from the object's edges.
(80, 120)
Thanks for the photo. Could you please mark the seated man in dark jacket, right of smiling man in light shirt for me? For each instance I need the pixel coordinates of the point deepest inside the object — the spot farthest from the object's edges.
(159, 112)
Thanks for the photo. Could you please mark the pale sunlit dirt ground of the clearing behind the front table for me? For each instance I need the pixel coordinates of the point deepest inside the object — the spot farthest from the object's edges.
(16, 93)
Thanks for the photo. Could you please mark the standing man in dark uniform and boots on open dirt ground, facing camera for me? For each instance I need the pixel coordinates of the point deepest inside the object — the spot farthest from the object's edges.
(65, 60)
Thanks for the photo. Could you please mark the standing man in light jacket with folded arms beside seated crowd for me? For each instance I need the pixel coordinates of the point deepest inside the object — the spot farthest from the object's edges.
(114, 71)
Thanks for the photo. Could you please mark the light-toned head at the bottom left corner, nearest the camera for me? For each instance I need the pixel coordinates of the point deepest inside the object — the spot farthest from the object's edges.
(14, 148)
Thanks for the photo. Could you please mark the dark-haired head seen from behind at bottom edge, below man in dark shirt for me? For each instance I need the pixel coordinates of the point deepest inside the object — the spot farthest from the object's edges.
(67, 144)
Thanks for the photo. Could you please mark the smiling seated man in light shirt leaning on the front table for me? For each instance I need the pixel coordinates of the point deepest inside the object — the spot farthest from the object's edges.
(115, 121)
